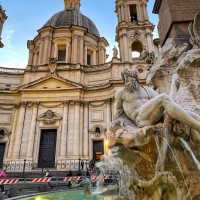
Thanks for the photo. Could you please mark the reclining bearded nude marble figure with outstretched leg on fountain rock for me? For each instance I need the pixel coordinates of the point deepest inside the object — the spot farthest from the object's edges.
(144, 106)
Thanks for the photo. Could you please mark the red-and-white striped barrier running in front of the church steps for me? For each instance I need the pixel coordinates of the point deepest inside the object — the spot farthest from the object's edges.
(21, 186)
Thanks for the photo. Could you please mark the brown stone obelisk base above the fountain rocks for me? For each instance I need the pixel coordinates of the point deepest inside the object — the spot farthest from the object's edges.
(175, 16)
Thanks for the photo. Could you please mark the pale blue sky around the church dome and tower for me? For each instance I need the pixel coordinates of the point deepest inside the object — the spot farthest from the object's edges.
(25, 17)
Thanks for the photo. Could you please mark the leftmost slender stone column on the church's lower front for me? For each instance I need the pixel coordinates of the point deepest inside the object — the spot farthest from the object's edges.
(13, 132)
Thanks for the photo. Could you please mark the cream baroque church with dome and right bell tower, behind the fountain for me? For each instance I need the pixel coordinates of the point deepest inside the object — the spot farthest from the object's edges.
(58, 110)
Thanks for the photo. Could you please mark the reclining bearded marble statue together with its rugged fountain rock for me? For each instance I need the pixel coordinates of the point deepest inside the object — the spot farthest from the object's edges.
(156, 133)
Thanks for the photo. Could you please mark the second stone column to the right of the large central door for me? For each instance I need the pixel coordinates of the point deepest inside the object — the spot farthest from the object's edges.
(76, 129)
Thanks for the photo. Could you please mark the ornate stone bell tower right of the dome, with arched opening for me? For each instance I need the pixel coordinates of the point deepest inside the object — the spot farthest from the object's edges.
(134, 31)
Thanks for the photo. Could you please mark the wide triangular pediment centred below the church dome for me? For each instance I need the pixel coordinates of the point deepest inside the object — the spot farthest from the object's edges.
(51, 83)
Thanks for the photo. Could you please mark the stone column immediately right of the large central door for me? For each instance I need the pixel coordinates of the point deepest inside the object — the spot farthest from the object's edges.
(63, 142)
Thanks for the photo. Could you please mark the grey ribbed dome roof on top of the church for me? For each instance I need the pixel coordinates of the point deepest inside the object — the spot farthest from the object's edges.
(68, 18)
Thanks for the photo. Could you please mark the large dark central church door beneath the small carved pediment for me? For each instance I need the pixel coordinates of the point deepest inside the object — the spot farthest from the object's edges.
(47, 148)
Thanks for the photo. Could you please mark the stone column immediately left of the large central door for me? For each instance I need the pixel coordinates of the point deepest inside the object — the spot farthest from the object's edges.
(32, 131)
